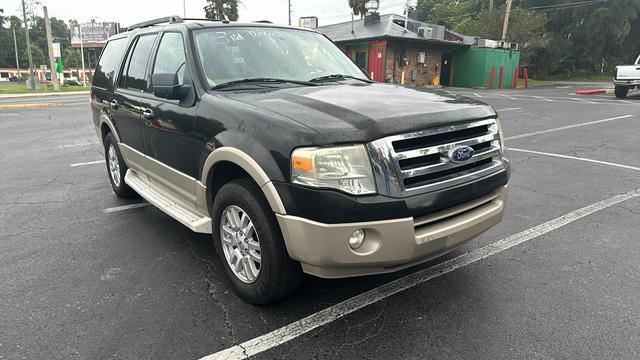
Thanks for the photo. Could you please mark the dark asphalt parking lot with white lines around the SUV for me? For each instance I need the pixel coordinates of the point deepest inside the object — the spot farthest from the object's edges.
(86, 275)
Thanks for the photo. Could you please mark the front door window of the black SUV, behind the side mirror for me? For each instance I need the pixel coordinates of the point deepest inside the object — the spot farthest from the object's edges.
(171, 57)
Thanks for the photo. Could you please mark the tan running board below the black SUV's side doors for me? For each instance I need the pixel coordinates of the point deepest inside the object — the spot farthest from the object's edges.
(169, 203)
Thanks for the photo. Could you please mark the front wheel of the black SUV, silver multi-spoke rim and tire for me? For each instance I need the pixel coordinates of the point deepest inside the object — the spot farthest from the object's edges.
(248, 241)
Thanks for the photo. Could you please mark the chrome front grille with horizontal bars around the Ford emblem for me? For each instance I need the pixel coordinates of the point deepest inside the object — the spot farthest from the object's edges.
(417, 162)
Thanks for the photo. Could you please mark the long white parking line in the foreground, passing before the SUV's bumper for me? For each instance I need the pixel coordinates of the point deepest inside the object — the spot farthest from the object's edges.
(298, 328)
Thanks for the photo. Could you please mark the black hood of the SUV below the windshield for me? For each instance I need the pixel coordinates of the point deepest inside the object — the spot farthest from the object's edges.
(365, 112)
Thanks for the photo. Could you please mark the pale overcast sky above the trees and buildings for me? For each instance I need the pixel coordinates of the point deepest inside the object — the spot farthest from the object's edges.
(129, 12)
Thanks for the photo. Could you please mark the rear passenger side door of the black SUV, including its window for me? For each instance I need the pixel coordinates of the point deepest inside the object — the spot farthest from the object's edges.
(126, 106)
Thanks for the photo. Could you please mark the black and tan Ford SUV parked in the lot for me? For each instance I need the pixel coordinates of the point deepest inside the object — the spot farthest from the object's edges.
(274, 141)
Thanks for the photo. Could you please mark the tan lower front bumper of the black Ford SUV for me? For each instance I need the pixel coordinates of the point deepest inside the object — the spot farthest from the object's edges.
(389, 245)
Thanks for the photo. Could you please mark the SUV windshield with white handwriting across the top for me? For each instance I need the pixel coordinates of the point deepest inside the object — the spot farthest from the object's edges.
(233, 54)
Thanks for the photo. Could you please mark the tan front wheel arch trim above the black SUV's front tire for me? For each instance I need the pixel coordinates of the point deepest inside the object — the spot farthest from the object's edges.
(227, 162)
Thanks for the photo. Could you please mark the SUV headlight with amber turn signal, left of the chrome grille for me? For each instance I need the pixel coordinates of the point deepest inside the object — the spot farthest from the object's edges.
(346, 168)
